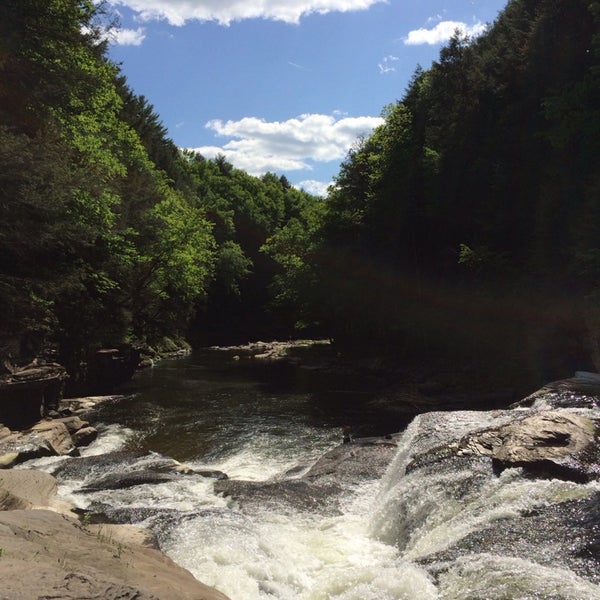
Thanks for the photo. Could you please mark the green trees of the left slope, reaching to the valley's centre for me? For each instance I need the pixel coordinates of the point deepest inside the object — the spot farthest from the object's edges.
(109, 233)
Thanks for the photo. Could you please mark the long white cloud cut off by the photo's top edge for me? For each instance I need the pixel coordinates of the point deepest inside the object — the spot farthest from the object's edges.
(177, 12)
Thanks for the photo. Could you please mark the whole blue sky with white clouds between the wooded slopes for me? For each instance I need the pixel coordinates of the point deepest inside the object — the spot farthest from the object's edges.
(286, 86)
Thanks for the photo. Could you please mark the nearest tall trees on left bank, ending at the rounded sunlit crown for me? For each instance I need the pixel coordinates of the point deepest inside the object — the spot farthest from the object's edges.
(97, 248)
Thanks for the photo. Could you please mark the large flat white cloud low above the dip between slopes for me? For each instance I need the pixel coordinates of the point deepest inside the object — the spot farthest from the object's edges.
(257, 146)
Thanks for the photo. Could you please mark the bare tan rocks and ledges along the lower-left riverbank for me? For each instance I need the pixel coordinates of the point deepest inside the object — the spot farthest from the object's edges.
(47, 551)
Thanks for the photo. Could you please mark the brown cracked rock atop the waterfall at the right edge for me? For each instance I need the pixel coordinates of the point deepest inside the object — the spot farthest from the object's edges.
(551, 443)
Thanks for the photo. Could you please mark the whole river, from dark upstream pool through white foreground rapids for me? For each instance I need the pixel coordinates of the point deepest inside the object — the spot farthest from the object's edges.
(259, 424)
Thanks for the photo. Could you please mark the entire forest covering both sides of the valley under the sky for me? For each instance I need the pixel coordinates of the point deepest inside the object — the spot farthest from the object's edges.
(466, 228)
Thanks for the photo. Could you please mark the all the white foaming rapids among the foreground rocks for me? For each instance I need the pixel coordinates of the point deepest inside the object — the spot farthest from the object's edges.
(379, 547)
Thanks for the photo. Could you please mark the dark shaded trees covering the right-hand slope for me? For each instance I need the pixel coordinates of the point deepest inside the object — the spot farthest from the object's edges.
(467, 226)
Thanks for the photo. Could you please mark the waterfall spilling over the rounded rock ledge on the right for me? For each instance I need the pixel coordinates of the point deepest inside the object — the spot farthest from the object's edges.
(456, 518)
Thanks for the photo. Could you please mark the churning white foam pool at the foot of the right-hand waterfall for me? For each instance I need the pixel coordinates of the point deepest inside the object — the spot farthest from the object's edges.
(296, 556)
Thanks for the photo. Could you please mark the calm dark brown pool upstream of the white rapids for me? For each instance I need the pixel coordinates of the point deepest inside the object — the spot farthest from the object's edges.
(202, 407)
